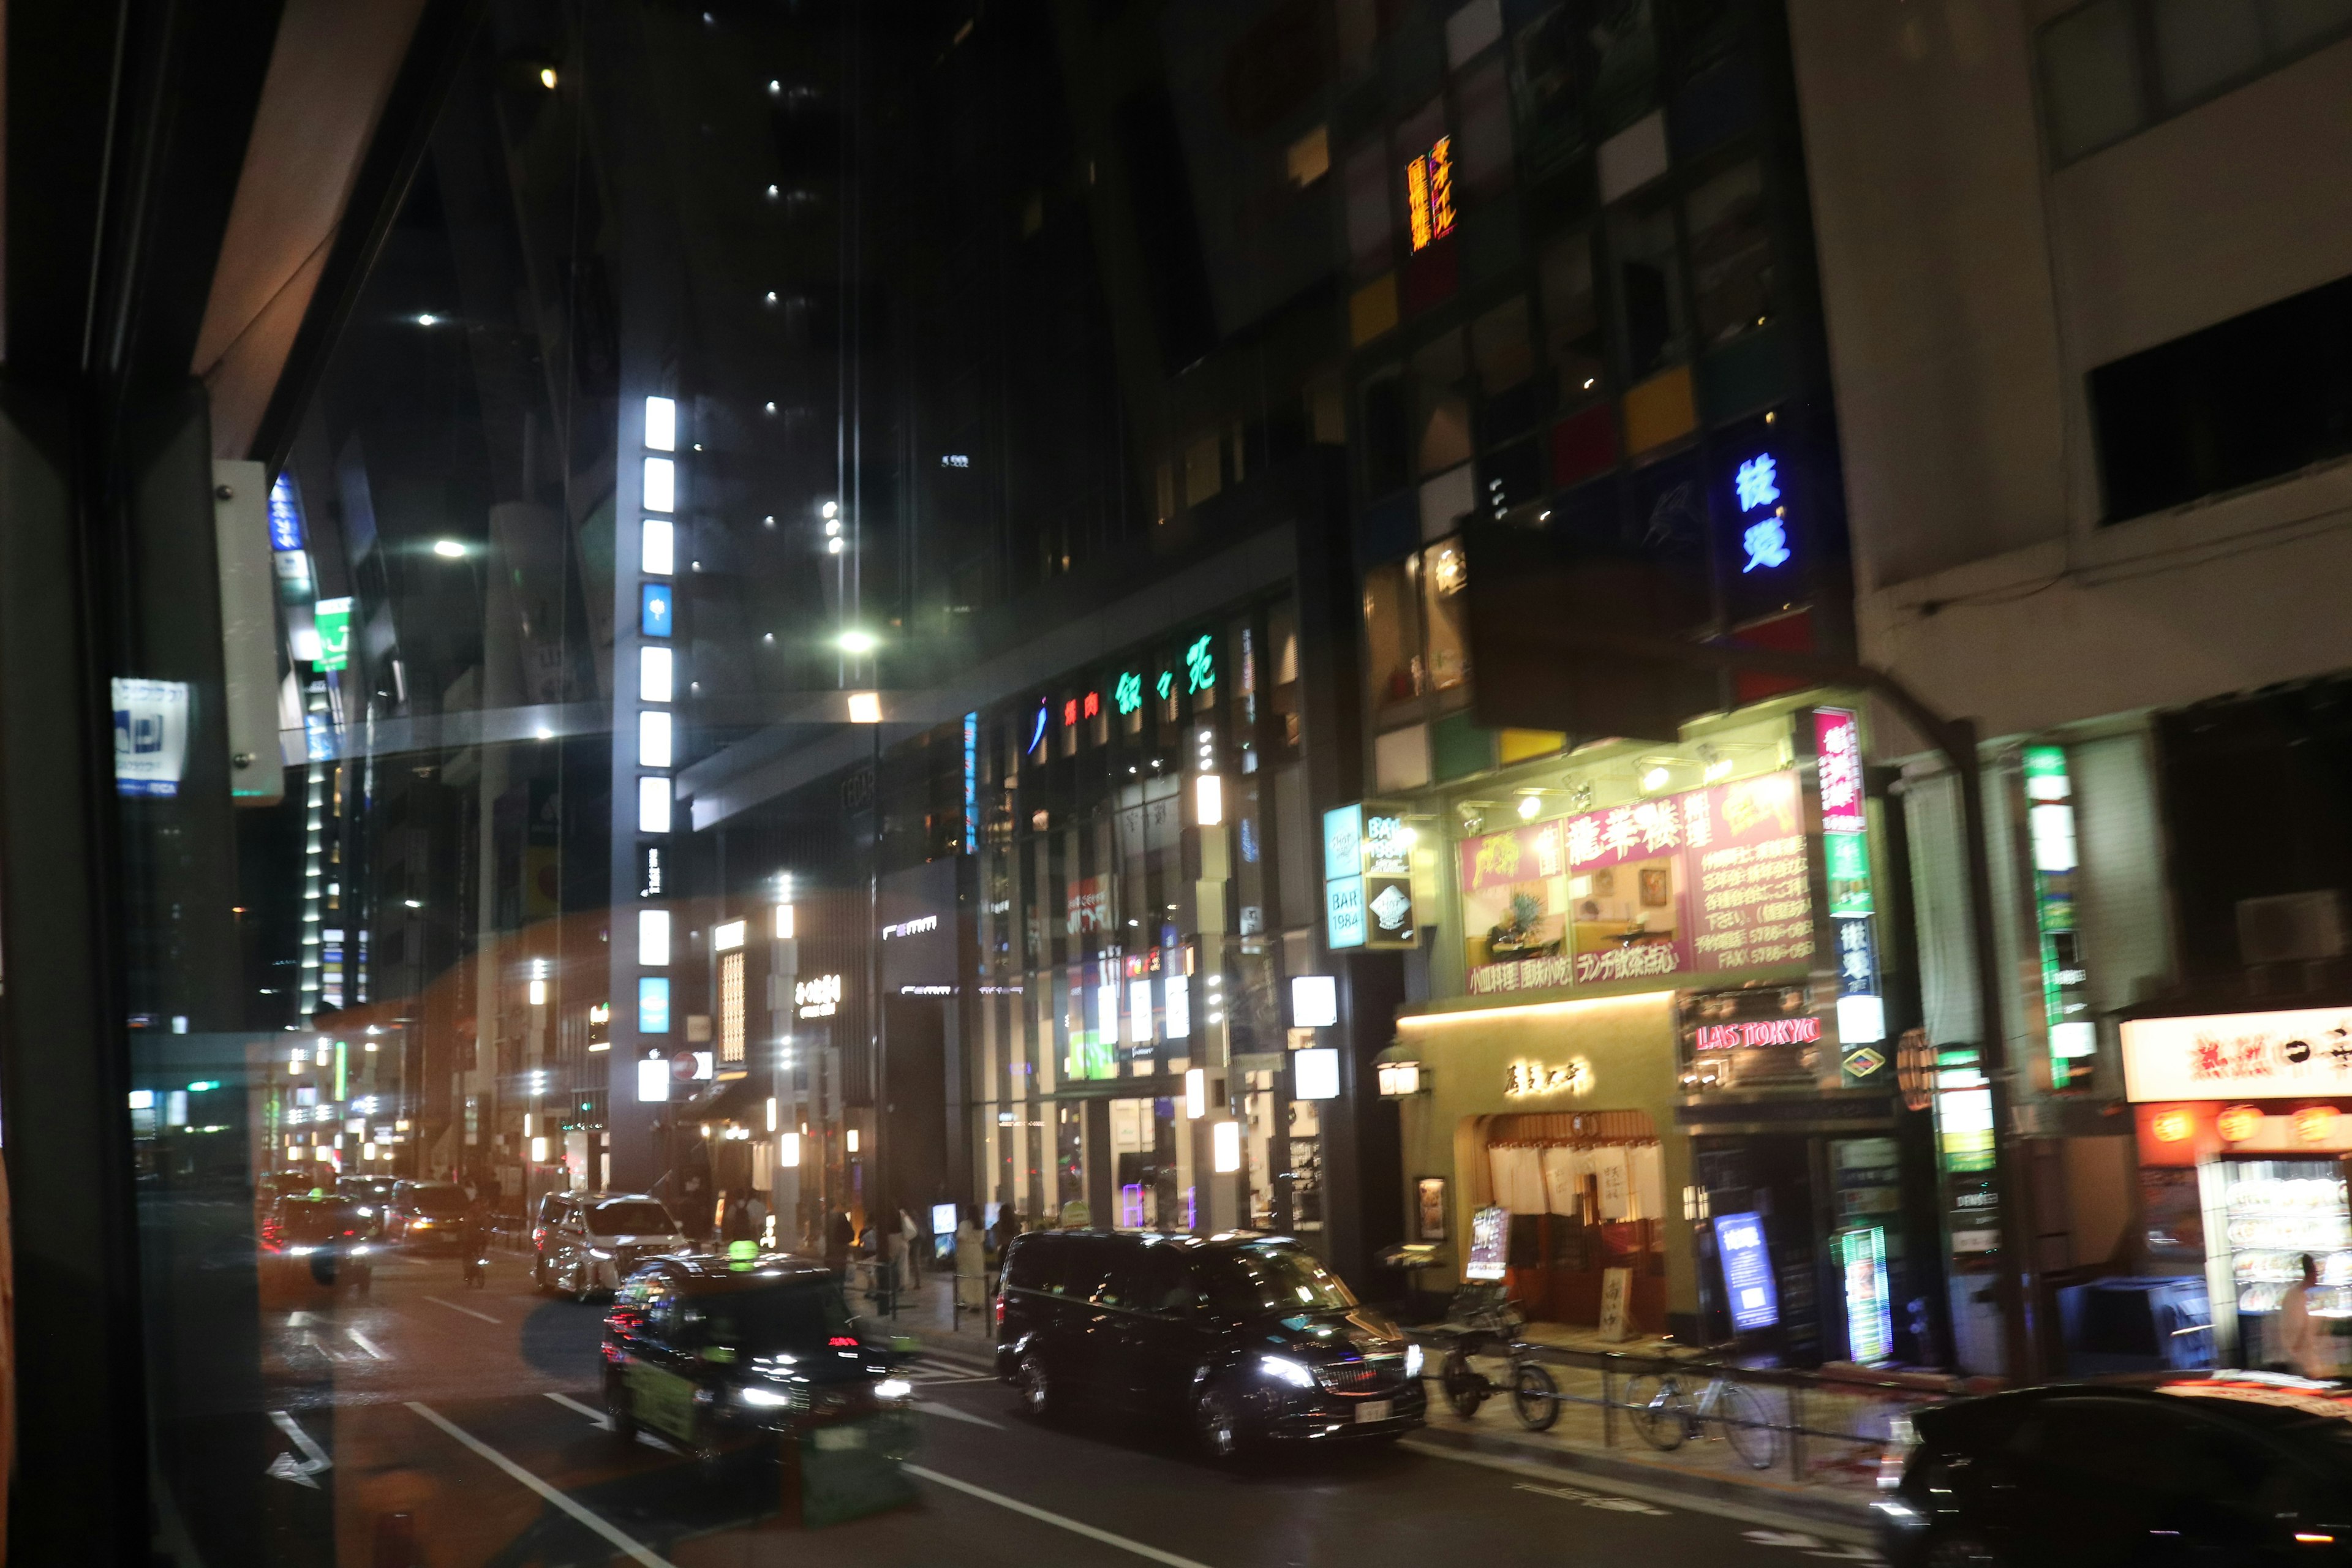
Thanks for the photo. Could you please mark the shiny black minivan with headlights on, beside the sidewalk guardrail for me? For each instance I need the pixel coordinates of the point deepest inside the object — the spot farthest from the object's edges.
(1243, 1336)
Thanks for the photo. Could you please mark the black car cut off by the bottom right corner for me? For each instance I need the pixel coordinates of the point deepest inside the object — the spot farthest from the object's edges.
(2221, 1468)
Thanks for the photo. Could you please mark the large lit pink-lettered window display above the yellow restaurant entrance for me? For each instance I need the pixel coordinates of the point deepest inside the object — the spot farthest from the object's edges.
(1702, 883)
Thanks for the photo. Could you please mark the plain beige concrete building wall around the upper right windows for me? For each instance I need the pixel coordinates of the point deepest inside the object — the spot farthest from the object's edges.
(1967, 297)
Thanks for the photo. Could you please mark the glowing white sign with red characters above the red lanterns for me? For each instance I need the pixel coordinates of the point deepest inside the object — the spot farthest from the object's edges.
(2240, 1057)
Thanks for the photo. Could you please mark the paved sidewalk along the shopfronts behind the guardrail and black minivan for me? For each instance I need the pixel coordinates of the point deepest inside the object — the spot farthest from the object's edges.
(1838, 1477)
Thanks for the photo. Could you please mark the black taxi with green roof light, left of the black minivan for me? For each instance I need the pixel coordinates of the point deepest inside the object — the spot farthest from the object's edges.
(700, 1348)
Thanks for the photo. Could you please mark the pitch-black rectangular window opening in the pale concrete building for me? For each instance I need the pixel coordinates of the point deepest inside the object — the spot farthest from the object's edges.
(2245, 401)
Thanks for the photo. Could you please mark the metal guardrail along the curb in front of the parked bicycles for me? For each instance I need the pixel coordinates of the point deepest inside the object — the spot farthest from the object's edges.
(1695, 1372)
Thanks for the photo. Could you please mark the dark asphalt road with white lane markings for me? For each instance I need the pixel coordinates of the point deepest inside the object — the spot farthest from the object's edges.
(474, 1414)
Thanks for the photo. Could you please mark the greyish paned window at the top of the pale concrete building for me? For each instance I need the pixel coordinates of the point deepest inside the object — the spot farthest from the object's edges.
(2118, 67)
